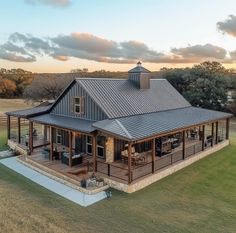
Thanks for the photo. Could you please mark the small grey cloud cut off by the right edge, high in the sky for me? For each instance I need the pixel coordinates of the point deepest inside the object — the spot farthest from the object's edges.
(228, 26)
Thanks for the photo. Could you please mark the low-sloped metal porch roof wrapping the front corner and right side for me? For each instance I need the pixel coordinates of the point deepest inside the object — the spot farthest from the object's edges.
(146, 125)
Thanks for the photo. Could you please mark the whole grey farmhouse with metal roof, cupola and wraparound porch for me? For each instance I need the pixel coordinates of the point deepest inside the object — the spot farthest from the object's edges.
(131, 132)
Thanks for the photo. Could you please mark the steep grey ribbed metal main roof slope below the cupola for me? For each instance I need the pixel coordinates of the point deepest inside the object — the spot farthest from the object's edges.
(120, 98)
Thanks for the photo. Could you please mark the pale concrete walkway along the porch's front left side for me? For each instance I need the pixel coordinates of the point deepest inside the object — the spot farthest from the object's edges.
(52, 185)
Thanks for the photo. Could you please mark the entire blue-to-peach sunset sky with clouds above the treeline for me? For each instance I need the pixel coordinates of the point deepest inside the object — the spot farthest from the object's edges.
(60, 35)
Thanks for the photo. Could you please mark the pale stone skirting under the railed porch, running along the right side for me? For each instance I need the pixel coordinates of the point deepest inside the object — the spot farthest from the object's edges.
(145, 181)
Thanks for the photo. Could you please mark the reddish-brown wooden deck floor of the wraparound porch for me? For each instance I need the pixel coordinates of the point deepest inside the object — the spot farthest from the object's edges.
(117, 170)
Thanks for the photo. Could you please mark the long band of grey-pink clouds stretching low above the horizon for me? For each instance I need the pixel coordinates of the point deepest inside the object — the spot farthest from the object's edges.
(25, 47)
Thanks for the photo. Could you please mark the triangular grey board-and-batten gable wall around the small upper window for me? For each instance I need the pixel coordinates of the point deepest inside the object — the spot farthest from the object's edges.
(65, 106)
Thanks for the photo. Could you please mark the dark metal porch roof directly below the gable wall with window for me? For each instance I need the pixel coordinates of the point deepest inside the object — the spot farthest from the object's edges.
(65, 122)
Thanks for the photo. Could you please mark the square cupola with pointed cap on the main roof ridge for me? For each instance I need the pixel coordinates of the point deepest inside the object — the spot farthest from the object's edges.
(140, 76)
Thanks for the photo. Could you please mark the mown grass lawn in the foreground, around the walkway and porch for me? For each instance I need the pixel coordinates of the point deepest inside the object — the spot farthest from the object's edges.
(199, 198)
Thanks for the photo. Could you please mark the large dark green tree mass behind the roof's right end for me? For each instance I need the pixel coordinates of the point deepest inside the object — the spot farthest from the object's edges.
(204, 85)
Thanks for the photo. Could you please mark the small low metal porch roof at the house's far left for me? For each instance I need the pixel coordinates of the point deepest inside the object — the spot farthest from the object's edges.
(30, 112)
